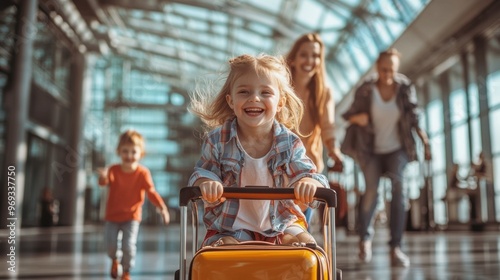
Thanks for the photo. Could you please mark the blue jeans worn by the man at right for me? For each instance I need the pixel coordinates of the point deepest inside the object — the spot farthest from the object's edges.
(390, 165)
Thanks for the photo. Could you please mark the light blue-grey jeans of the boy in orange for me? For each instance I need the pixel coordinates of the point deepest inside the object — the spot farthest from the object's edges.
(129, 230)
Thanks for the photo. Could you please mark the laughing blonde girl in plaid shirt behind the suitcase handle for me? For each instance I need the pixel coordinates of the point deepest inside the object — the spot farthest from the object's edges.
(251, 143)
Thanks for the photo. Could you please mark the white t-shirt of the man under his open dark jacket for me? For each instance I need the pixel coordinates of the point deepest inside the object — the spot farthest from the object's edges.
(385, 116)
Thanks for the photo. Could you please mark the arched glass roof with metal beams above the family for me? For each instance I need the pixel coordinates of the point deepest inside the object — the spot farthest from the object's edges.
(182, 40)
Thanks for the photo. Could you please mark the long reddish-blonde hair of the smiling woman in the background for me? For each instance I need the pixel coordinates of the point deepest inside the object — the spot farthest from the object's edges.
(317, 84)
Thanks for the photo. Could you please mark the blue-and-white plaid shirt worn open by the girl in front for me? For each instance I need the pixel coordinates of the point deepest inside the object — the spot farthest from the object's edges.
(222, 159)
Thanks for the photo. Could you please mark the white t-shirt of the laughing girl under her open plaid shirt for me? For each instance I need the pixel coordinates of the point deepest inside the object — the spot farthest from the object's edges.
(254, 214)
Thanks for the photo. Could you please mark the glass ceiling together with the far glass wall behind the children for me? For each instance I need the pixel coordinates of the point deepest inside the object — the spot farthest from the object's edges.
(156, 52)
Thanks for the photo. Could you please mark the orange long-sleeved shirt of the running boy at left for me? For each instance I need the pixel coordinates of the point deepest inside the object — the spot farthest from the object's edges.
(126, 193)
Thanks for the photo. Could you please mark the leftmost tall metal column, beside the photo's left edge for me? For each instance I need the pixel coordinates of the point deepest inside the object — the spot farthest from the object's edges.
(16, 107)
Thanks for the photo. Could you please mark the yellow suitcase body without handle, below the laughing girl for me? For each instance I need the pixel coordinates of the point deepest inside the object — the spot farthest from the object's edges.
(257, 260)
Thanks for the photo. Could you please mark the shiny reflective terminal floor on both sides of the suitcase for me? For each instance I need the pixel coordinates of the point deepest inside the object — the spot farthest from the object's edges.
(79, 253)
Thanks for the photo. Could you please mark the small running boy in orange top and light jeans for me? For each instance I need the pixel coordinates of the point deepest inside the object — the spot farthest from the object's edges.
(127, 183)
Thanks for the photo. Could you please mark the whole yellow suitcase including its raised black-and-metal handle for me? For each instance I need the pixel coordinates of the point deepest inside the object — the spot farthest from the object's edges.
(257, 259)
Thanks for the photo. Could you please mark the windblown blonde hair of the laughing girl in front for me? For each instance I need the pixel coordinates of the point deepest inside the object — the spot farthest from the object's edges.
(214, 110)
